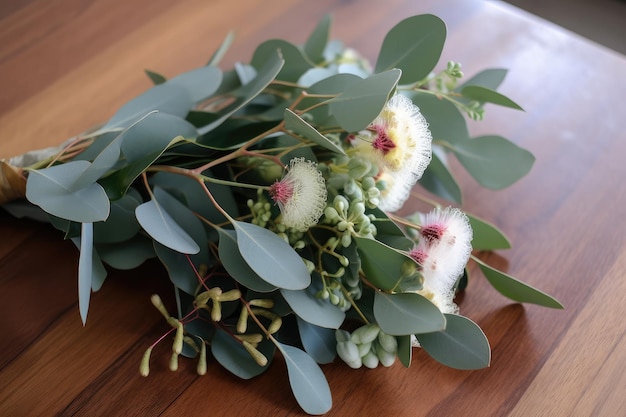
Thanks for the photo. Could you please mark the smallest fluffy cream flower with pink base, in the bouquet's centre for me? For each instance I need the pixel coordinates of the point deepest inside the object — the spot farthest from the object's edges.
(300, 194)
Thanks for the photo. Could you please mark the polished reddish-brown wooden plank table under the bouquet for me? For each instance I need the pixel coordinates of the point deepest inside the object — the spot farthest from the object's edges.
(67, 65)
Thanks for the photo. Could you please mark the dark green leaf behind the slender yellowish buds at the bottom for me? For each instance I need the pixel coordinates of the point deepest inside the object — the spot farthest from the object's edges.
(233, 356)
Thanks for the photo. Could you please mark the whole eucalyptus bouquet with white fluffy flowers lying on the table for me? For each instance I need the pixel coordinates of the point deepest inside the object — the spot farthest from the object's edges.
(268, 192)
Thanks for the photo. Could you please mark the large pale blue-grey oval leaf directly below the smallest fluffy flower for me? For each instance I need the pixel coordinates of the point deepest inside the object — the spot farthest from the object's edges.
(271, 257)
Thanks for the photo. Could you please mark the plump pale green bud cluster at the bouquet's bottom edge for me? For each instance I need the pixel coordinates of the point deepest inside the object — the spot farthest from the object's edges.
(368, 345)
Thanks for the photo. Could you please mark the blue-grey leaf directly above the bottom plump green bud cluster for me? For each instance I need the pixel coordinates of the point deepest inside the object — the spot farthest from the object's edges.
(309, 307)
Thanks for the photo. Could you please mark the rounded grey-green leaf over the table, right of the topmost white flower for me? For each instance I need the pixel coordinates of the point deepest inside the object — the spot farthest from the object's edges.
(493, 161)
